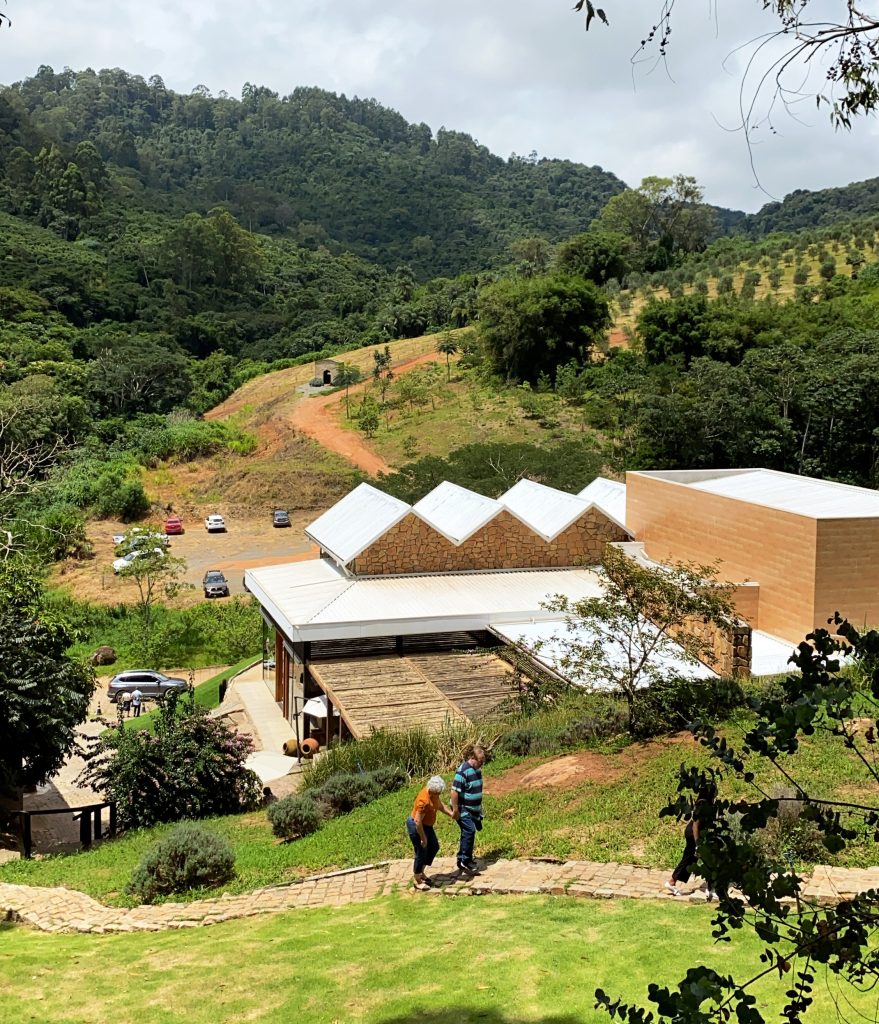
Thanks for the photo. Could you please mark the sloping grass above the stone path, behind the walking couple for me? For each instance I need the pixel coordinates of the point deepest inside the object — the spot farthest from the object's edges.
(609, 813)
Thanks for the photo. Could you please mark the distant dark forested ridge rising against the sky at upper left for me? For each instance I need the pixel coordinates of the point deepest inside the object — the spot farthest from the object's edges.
(312, 166)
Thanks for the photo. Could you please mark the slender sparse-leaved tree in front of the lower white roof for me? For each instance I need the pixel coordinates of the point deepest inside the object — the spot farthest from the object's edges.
(649, 617)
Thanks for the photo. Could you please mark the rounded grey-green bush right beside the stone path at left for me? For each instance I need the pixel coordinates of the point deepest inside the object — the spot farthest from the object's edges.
(191, 857)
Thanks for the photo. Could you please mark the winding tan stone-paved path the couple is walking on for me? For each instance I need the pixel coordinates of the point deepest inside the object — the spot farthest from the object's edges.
(68, 911)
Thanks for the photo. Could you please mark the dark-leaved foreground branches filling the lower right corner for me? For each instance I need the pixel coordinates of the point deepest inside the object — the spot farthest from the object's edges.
(800, 935)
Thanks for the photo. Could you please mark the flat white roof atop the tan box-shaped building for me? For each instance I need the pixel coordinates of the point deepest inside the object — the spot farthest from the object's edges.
(802, 495)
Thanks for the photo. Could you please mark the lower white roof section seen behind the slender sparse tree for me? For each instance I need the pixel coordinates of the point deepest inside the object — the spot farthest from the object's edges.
(549, 642)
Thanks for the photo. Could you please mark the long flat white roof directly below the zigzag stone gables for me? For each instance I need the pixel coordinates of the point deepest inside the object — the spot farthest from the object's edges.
(311, 604)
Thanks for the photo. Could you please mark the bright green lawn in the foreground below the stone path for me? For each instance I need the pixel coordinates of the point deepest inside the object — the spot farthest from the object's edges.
(395, 961)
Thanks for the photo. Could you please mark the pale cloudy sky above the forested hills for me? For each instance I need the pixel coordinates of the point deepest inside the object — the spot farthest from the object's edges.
(518, 75)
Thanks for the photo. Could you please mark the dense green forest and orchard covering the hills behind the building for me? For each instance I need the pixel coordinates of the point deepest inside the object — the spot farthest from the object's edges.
(159, 250)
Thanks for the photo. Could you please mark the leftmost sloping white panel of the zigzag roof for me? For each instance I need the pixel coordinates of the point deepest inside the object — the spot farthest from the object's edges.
(356, 522)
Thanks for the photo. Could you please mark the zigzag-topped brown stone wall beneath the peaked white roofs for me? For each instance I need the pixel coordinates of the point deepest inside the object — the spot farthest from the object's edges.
(506, 543)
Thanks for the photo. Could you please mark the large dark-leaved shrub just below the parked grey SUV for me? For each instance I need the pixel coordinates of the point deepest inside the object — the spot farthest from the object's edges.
(191, 767)
